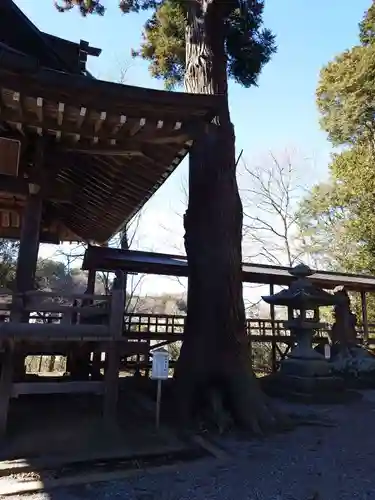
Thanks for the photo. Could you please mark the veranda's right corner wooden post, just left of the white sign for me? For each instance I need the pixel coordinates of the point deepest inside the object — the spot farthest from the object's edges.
(113, 356)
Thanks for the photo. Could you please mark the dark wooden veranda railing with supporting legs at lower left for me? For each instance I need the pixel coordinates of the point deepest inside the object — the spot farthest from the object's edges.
(45, 318)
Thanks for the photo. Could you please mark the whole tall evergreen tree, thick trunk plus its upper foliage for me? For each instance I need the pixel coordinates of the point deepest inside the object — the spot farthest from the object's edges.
(203, 43)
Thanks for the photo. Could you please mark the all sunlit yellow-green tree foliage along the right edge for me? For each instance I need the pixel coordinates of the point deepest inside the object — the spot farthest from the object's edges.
(338, 214)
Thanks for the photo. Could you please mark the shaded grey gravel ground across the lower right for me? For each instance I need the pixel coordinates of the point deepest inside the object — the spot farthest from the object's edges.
(310, 463)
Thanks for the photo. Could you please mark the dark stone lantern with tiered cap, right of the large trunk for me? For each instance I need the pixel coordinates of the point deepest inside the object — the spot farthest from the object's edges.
(304, 368)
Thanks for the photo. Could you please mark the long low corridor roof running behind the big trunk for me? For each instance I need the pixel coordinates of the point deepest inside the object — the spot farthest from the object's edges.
(111, 259)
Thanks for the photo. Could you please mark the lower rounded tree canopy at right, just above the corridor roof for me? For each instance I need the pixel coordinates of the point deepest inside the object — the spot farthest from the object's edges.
(336, 220)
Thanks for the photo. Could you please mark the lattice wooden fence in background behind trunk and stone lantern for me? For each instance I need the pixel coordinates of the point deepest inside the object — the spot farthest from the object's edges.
(269, 340)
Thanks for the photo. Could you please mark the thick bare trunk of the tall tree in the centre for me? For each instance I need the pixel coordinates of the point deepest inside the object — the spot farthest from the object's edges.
(215, 356)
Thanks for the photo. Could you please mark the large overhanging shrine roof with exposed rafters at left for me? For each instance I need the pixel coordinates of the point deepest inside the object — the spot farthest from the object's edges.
(108, 147)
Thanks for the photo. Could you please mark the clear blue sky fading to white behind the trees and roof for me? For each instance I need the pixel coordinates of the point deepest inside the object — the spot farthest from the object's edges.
(280, 113)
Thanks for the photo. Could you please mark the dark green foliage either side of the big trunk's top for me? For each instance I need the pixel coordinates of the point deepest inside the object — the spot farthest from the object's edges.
(248, 45)
